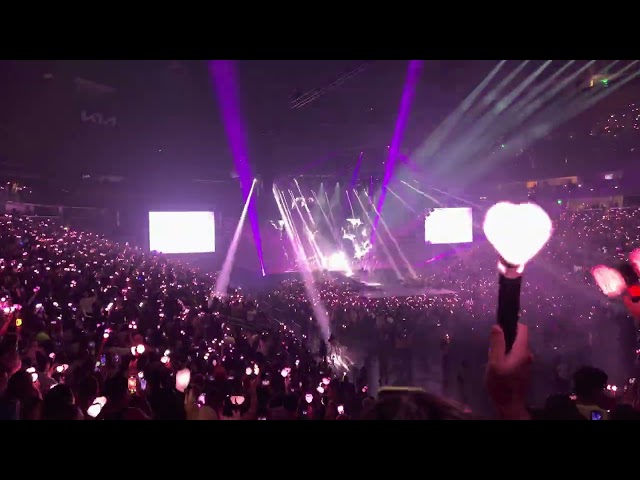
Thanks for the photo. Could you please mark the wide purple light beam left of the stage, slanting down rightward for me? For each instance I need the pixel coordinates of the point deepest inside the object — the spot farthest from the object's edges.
(223, 75)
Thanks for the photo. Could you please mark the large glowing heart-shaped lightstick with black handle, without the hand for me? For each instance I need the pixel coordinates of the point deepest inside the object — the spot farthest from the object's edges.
(518, 233)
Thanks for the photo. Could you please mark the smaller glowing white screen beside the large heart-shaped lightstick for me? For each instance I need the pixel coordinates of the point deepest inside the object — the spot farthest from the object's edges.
(449, 225)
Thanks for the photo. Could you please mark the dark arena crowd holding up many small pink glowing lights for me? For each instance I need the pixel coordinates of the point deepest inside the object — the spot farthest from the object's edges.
(94, 330)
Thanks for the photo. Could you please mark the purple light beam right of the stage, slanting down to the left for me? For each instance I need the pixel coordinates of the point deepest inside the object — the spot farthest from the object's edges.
(413, 74)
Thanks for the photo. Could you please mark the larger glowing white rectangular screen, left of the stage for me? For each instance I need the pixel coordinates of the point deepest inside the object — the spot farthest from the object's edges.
(182, 232)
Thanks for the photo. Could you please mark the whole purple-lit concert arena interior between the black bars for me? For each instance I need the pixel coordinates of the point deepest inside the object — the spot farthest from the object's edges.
(319, 240)
